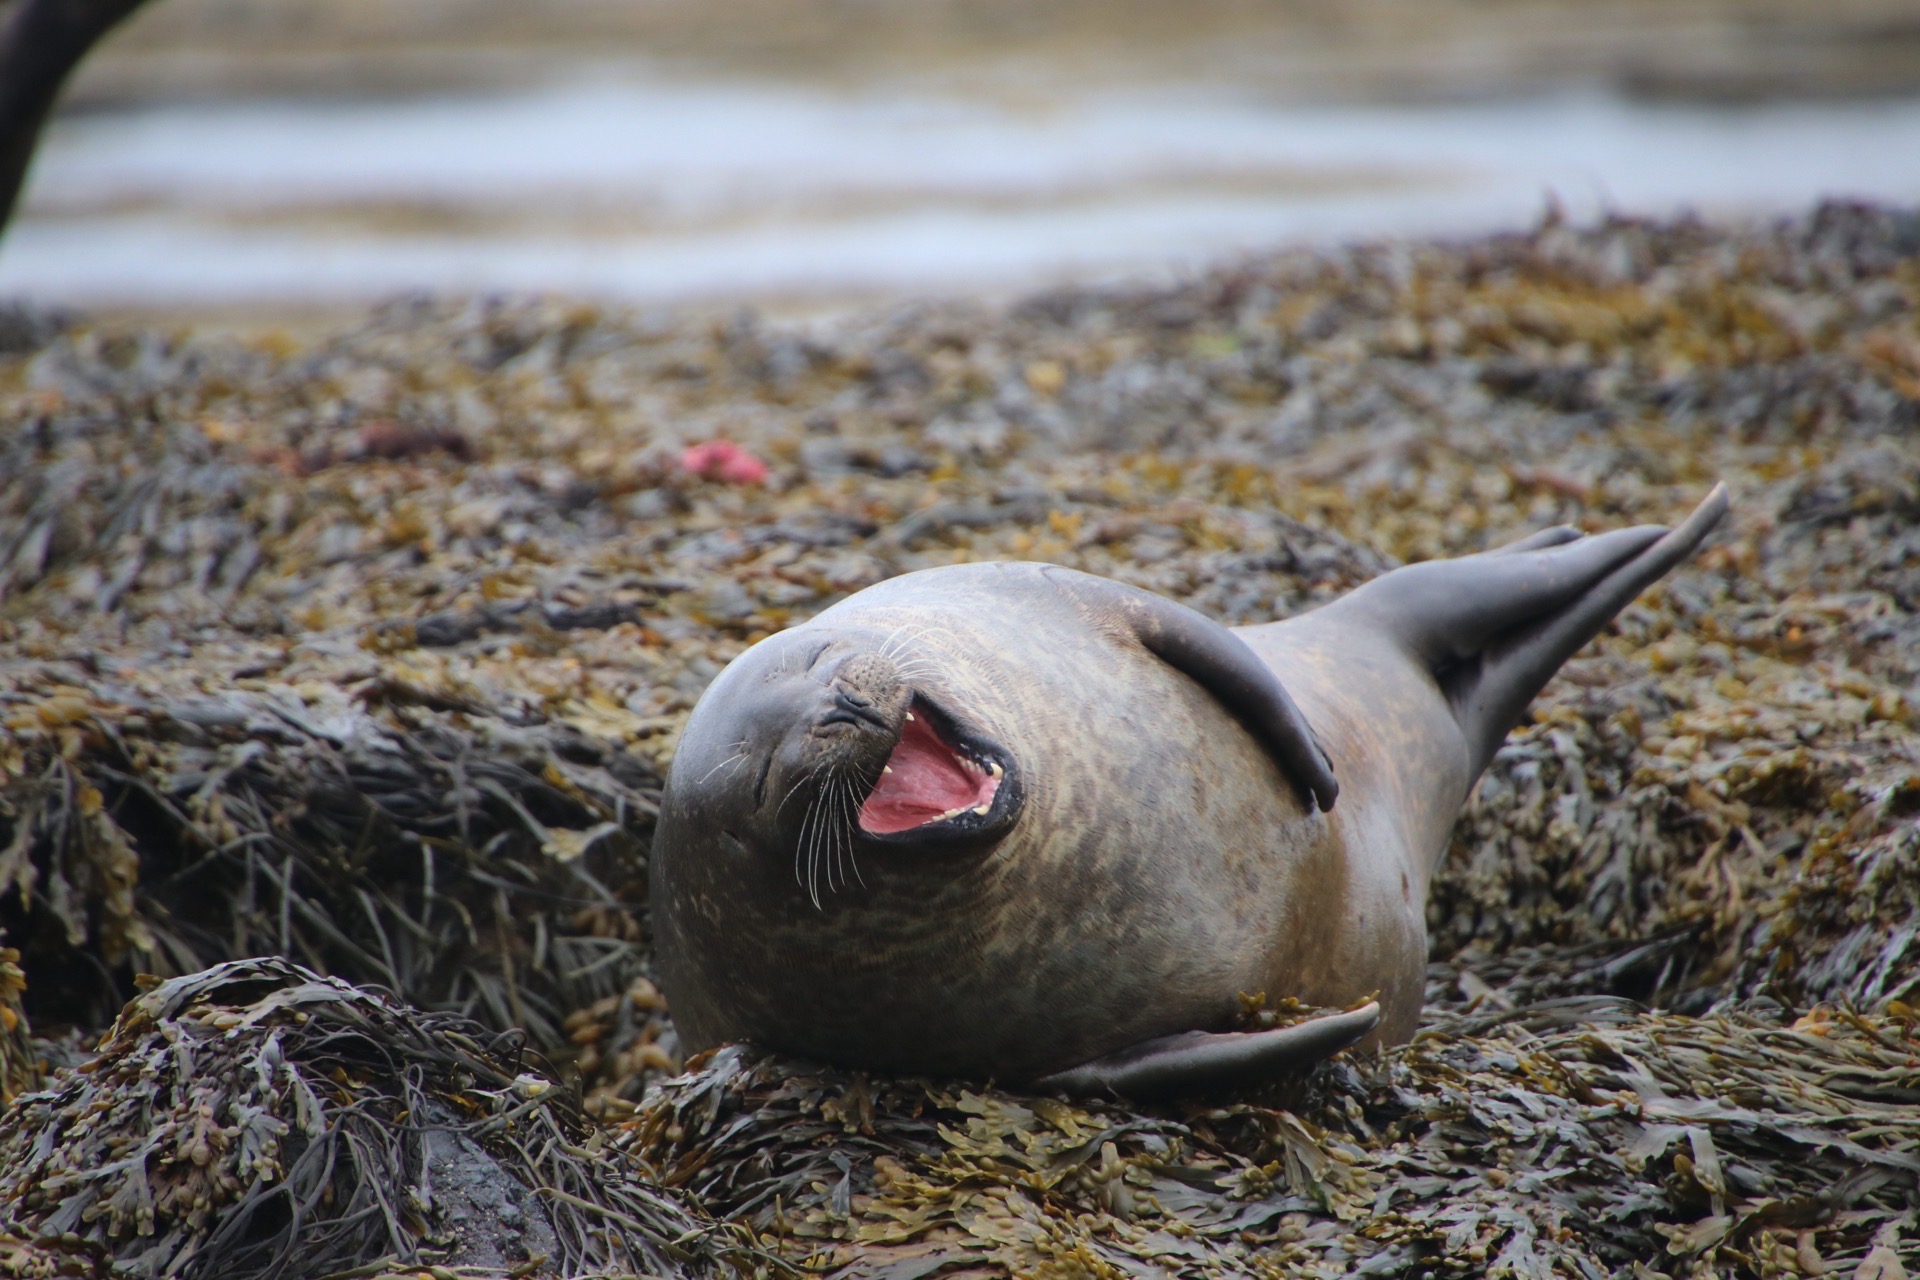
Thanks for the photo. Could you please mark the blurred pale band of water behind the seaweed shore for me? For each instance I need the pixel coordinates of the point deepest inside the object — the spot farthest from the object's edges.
(669, 189)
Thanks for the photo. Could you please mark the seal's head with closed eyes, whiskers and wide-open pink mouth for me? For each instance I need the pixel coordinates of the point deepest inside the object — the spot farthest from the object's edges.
(817, 751)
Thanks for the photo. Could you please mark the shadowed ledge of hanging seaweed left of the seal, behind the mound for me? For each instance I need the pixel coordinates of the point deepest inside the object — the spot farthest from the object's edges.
(350, 830)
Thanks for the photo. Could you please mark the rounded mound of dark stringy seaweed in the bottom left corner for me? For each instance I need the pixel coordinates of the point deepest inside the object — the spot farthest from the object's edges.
(260, 1120)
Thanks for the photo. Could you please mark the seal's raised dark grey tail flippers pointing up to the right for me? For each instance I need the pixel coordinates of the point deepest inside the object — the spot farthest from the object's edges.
(1493, 628)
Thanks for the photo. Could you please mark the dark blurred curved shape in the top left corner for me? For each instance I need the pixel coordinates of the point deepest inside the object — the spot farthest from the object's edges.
(41, 41)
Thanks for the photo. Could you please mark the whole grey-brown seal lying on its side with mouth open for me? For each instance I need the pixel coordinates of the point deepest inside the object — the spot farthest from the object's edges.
(1026, 824)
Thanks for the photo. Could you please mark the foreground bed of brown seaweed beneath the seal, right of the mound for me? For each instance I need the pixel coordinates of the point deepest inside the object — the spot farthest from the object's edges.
(1577, 1137)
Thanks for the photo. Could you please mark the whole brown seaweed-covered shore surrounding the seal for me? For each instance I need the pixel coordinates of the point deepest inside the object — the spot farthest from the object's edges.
(370, 650)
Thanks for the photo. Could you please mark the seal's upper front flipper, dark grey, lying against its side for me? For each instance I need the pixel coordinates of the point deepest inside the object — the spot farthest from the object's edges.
(1220, 663)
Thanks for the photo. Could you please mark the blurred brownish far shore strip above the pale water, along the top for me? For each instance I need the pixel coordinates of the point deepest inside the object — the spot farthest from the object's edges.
(1710, 51)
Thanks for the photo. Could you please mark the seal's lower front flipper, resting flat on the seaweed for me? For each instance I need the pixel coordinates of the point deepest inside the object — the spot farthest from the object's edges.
(1197, 1062)
